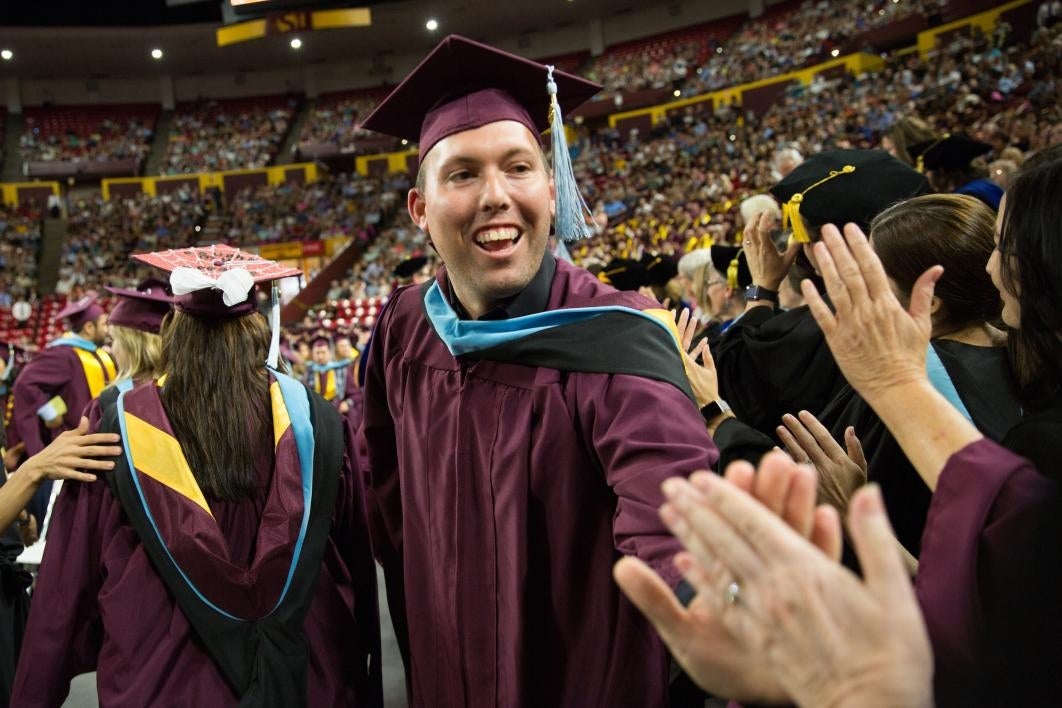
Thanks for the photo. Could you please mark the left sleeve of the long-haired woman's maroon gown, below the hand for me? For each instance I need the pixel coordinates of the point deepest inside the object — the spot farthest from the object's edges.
(65, 631)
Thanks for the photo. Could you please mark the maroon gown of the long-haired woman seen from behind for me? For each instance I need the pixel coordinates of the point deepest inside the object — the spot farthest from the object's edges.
(100, 605)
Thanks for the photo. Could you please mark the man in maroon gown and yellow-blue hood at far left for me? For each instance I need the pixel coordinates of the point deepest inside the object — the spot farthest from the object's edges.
(56, 388)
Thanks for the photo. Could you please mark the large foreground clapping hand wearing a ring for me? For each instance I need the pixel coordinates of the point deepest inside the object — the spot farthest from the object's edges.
(823, 635)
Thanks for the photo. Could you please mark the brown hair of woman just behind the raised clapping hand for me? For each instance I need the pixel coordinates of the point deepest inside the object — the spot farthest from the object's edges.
(952, 231)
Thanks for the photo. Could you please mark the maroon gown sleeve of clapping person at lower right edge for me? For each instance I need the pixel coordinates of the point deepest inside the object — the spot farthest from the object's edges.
(989, 579)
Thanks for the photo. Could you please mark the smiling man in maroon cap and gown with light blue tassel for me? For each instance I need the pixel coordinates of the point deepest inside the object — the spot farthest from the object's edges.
(520, 415)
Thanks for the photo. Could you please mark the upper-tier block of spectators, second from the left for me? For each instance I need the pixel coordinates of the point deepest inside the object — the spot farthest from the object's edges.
(228, 135)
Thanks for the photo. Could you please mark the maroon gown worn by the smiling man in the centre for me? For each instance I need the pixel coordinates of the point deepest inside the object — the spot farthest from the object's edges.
(504, 495)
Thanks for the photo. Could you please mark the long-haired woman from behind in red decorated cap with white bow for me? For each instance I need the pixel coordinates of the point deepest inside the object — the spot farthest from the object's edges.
(227, 561)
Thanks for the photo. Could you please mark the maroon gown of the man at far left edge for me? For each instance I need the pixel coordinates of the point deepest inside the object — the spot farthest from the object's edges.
(54, 372)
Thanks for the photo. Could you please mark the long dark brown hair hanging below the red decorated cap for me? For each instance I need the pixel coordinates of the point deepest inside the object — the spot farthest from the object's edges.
(217, 398)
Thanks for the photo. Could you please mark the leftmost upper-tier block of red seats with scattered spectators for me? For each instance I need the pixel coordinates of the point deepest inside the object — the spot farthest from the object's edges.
(89, 133)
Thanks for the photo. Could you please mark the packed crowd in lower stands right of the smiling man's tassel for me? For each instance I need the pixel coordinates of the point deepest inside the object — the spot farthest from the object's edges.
(682, 183)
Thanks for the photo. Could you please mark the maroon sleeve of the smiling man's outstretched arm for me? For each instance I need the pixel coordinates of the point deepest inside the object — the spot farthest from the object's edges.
(644, 433)
